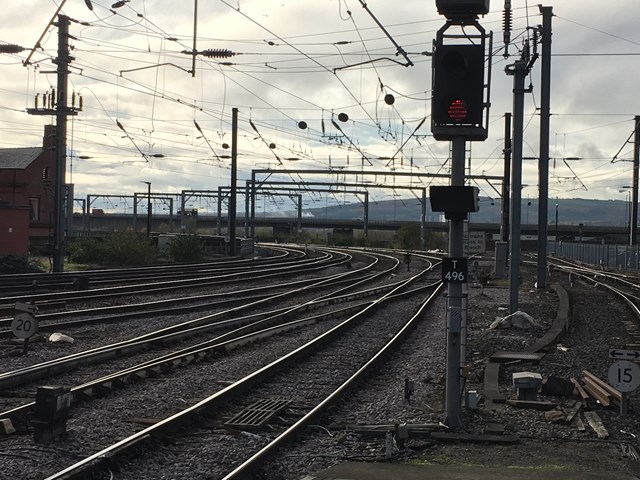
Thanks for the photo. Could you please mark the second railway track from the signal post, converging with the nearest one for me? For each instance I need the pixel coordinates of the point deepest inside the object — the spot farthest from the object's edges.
(323, 310)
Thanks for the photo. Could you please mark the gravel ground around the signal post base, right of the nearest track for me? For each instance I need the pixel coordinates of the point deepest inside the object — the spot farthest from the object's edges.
(596, 325)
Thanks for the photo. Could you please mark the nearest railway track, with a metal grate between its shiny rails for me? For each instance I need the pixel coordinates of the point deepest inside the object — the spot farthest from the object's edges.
(299, 367)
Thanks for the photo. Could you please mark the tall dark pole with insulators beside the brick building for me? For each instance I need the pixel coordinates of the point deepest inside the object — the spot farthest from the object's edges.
(61, 143)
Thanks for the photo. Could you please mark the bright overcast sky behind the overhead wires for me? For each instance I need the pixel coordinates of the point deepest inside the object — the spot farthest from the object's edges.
(300, 61)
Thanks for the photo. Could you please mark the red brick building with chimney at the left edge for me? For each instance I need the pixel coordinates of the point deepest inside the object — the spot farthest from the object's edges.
(27, 182)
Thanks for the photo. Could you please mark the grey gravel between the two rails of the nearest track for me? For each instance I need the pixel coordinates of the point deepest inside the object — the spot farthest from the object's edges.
(306, 384)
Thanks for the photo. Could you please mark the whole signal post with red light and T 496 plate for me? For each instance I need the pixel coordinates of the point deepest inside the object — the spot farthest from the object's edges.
(459, 113)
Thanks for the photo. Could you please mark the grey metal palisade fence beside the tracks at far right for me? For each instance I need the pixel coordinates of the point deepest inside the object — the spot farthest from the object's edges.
(618, 257)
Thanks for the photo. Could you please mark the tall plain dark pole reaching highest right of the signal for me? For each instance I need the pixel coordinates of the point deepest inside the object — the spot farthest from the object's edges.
(543, 161)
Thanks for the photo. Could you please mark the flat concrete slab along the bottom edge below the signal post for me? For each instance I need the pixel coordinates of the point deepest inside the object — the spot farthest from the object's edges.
(385, 471)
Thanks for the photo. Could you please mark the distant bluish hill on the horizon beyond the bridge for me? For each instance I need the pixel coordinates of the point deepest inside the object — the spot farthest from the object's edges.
(570, 211)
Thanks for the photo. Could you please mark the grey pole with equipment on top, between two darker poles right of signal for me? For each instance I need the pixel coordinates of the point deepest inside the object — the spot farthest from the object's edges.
(519, 72)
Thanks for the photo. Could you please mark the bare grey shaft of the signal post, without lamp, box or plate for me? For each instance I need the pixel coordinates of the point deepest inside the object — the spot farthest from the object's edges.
(454, 311)
